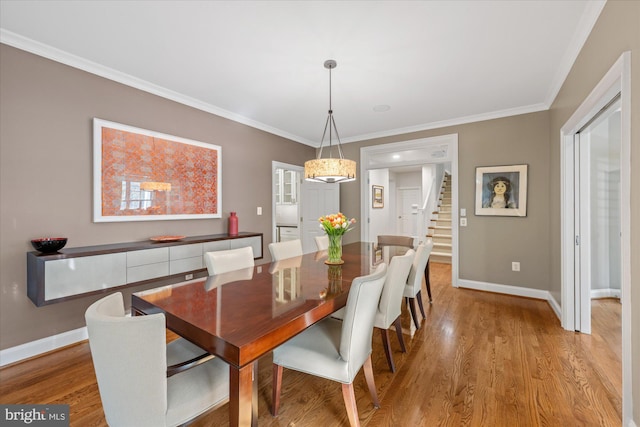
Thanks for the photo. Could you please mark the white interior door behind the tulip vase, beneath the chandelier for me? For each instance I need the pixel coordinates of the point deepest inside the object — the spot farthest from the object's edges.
(317, 199)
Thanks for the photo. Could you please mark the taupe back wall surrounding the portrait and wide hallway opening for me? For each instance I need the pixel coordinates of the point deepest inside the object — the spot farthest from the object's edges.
(488, 245)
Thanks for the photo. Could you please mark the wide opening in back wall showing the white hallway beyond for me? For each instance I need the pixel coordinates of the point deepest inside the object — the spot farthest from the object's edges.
(393, 175)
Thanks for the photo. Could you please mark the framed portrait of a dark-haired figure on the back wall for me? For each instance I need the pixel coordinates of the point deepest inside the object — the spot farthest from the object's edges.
(501, 190)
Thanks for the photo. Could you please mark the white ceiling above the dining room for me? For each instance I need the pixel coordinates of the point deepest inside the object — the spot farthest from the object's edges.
(434, 63)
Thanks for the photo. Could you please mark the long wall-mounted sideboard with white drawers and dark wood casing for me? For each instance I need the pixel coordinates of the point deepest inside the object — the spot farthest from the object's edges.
(77, 272)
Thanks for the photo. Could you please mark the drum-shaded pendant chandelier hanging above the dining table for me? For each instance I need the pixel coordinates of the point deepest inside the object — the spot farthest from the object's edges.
(330, 169)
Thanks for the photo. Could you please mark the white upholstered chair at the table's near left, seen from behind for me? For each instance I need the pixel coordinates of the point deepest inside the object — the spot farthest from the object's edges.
(131, 357)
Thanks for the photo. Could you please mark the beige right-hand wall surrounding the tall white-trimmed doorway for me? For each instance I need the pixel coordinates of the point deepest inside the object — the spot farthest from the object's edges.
(616, 31)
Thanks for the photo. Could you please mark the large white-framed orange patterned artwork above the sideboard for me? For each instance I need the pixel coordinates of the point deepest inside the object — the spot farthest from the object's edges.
(142, 175)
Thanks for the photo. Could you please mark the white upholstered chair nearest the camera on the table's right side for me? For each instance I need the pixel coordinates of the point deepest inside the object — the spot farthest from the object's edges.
(334, 349)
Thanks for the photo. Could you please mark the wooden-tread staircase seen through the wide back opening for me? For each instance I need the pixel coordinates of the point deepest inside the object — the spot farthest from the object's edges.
(440, 228)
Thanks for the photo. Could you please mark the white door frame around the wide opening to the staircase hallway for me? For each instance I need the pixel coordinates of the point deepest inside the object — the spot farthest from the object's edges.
(451, 143)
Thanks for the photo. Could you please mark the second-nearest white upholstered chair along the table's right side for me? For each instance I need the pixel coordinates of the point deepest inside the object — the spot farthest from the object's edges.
(390, 305)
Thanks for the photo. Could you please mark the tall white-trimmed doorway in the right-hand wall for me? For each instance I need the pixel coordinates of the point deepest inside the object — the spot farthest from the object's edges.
(581, 178)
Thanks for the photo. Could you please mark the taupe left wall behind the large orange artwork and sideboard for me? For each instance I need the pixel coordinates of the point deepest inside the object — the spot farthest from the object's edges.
(46, 112)
